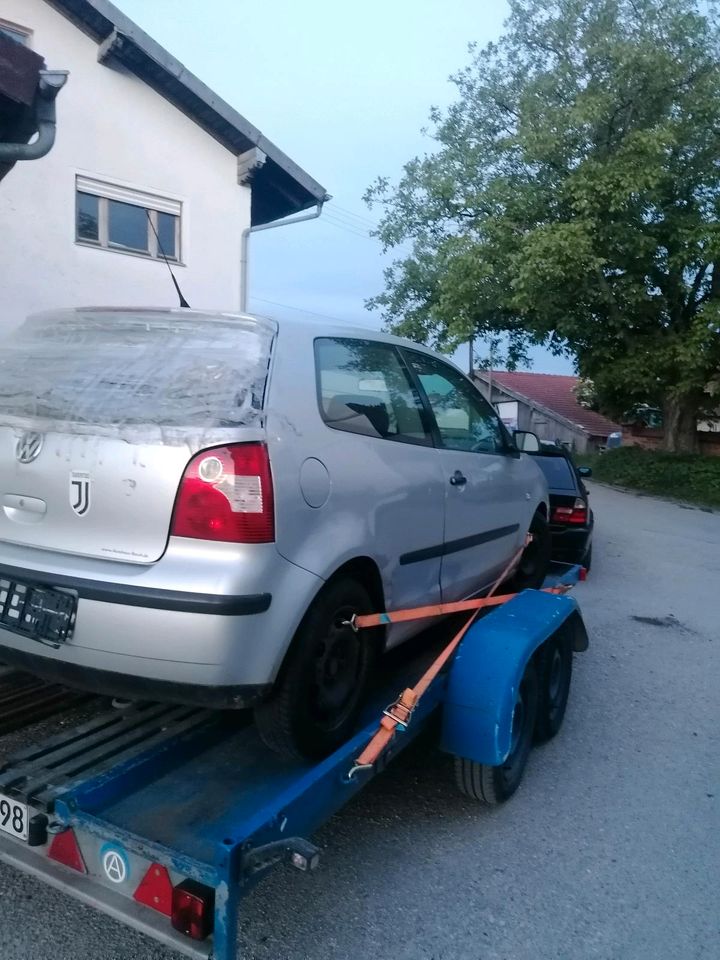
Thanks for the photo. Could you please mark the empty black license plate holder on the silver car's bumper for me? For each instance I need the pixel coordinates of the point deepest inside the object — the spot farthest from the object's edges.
(41, 613)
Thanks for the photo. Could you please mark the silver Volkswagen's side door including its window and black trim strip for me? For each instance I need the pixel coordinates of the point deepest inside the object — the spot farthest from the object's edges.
(486, 497)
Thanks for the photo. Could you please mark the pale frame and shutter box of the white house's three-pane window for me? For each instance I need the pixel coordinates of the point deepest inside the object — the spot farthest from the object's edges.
(150, 202)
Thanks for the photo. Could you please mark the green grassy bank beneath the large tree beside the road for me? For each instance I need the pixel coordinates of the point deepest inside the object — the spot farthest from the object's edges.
(695, 479)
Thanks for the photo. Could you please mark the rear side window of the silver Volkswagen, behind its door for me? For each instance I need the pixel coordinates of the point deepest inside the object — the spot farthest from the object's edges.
(364, 388)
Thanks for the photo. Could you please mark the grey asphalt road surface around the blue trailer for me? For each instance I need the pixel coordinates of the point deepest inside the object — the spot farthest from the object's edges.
(609, 851)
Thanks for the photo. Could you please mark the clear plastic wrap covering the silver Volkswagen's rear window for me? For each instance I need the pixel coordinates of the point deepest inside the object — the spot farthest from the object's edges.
(136, 374)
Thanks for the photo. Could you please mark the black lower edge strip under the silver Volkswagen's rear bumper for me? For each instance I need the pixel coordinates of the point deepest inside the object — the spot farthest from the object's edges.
(108, 683)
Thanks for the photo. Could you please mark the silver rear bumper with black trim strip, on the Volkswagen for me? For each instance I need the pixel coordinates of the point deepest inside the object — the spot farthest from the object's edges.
(200, 625)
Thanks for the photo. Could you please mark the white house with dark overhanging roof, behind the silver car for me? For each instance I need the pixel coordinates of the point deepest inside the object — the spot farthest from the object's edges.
(147, 160)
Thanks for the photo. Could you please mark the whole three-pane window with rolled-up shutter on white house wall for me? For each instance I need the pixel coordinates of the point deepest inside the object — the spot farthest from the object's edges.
(127, 221)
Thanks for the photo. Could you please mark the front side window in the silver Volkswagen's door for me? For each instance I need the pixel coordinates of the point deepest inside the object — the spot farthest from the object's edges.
(465, 420)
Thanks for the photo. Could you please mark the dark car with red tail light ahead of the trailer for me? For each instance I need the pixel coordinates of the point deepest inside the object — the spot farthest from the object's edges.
(571, 519)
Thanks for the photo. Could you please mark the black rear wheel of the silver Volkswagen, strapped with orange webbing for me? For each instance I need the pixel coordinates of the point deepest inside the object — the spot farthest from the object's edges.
(321, 686)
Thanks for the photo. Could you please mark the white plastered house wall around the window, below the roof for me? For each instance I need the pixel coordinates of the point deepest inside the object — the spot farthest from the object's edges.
(113, 127)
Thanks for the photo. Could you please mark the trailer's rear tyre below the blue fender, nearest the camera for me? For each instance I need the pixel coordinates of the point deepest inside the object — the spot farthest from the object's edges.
(494, 785)
